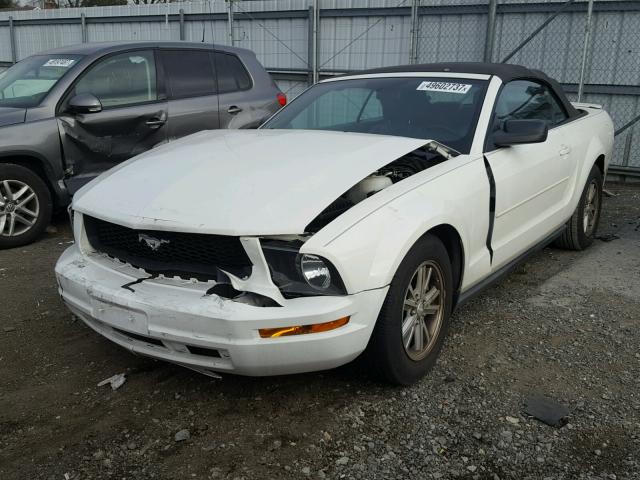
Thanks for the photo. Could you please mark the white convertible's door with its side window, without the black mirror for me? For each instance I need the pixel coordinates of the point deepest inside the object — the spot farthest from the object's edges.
(531, 180)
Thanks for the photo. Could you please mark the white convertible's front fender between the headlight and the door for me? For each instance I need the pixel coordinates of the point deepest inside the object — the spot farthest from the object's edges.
(368, 253)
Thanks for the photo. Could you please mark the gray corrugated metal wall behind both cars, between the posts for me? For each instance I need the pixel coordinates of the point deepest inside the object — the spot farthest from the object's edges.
(358, 34)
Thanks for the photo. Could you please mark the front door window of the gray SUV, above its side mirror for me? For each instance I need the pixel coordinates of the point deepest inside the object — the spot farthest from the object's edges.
(121, 80)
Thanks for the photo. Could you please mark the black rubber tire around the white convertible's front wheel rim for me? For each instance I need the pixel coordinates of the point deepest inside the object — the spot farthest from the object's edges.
(389, 352)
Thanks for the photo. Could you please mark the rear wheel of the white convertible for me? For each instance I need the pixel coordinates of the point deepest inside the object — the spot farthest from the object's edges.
(583, 224)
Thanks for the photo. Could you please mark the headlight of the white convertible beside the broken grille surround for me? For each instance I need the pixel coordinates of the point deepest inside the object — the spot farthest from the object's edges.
(300, 275)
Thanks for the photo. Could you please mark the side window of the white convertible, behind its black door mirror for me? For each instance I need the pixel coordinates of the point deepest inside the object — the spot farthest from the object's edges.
(526, 100)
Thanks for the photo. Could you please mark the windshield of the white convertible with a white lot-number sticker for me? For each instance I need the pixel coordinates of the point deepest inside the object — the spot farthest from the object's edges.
(442, 109)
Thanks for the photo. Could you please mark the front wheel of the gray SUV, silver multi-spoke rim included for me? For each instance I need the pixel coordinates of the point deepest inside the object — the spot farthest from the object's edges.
(25, 206)
